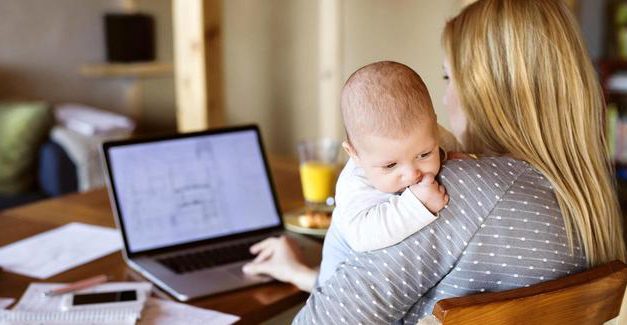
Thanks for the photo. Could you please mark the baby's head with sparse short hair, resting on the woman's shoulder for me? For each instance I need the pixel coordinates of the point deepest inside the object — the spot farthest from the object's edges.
(390, 124)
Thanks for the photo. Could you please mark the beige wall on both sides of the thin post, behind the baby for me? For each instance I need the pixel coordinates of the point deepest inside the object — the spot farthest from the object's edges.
(271, 67)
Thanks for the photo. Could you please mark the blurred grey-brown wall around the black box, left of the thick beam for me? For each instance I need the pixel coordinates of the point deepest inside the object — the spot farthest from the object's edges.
(43, 43)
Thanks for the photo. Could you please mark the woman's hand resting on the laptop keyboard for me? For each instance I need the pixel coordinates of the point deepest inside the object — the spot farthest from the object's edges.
(281, 258)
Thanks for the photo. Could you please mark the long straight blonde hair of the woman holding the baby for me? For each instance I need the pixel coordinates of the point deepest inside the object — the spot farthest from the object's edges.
(528, 88)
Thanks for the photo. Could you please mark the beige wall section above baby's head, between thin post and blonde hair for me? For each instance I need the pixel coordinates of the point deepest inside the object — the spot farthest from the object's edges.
(407, 31)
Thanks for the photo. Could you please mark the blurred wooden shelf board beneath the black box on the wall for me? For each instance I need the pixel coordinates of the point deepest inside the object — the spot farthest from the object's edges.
(136, 70)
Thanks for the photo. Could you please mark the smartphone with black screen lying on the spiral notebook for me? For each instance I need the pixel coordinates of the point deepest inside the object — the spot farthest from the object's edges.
(101, 299)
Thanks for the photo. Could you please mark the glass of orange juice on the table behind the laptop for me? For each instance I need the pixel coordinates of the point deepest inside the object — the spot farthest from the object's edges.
(318, 172)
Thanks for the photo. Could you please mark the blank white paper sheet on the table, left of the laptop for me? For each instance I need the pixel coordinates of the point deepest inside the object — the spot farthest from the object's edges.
(55, 251)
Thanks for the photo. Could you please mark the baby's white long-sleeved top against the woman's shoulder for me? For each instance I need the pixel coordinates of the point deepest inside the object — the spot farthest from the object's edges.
(369, 219)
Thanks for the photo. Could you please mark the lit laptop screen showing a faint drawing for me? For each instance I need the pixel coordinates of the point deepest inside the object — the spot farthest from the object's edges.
(182, 190)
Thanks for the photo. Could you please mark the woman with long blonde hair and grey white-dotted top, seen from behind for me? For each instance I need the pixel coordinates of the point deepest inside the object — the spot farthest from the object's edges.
(529, 211)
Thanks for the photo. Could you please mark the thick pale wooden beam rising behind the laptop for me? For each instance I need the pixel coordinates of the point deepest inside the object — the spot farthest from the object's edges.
(198, 64)
